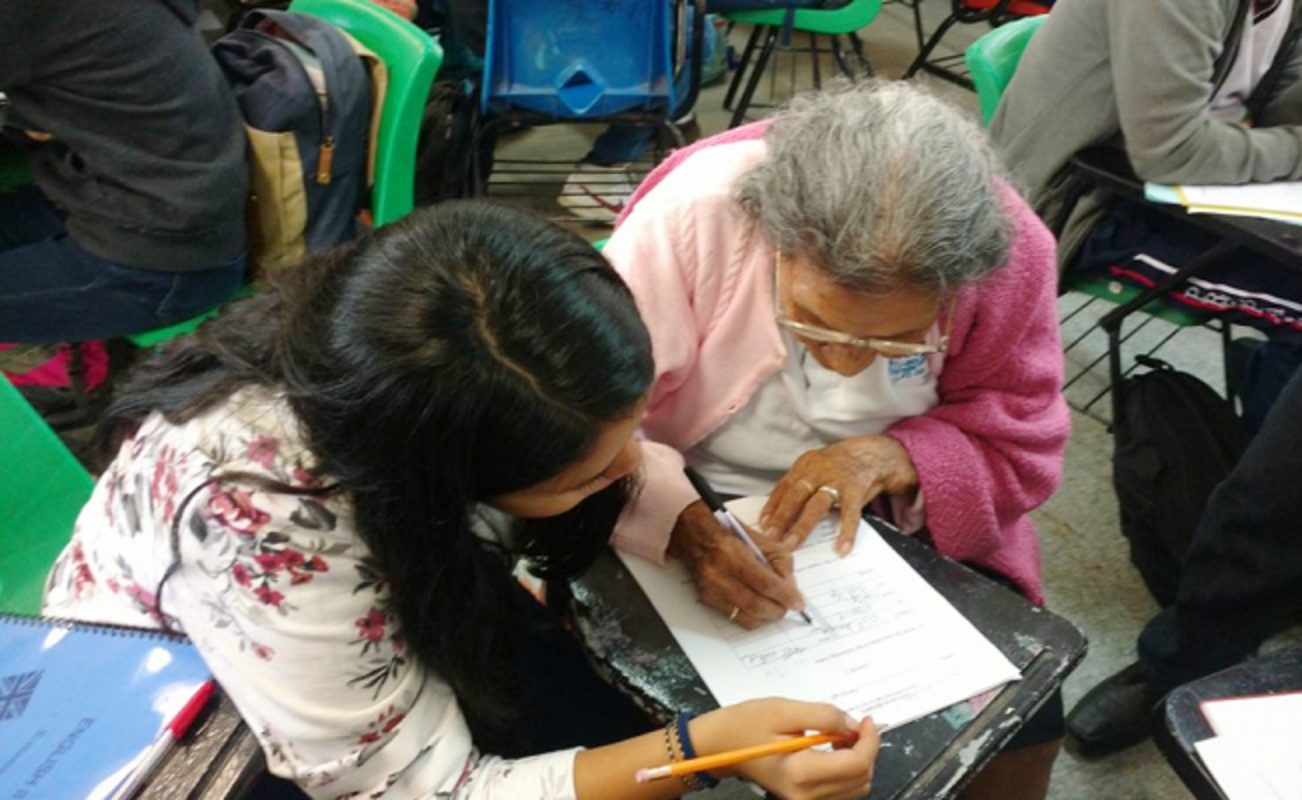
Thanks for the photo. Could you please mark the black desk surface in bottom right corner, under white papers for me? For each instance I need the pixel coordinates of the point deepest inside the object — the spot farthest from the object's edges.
(1179, 722)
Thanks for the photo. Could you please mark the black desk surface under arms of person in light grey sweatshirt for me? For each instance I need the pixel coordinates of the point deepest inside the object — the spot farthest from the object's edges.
(1279, 242)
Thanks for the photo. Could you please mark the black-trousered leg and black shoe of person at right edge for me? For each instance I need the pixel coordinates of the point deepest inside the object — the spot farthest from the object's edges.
(1239, 587)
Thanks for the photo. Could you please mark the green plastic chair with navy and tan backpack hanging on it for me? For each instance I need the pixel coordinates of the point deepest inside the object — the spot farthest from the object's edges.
(413, 59)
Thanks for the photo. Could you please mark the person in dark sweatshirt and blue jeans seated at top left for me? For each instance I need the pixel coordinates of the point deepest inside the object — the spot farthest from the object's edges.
(137, 216)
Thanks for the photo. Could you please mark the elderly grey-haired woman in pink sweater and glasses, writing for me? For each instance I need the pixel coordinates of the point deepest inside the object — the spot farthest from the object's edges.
(848, 308)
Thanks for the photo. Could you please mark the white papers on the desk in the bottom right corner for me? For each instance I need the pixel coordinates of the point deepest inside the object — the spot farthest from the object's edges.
(1257, 752)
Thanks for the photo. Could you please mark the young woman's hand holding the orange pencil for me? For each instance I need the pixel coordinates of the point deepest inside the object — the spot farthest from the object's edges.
(810, 775)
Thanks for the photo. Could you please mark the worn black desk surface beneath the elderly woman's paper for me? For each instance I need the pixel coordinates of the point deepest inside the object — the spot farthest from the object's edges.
(930, 759)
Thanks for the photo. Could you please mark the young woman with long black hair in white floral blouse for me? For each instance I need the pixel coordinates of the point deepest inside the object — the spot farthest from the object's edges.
(298, 489)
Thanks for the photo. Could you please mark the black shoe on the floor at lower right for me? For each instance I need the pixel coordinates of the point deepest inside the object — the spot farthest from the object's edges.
(1114, 715)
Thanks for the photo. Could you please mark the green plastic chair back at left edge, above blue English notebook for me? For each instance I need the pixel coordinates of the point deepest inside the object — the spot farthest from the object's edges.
(42, 491)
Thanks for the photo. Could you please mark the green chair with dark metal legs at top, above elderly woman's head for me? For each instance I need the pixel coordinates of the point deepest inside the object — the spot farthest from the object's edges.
(846, 21)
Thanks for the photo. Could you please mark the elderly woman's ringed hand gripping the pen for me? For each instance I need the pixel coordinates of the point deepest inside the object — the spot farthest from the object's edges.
(728, 575)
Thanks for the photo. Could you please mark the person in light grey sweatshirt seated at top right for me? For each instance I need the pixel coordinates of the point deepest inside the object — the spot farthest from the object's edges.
(1197, 92)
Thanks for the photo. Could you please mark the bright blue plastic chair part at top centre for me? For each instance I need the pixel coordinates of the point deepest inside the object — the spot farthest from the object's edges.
(579, 59)
